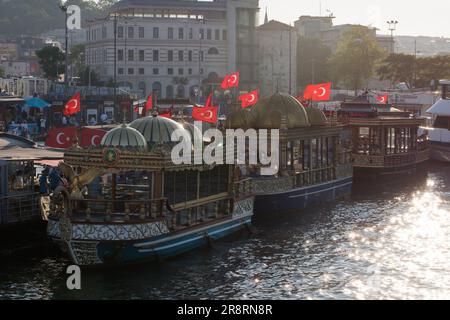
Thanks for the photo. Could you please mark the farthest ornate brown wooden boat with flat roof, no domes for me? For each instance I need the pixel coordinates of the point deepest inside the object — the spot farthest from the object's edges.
(385, 140)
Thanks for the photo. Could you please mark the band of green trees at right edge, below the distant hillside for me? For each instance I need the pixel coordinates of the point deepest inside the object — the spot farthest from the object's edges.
(415, 72)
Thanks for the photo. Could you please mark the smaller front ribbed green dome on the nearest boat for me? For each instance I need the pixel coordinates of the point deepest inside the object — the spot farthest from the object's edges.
(124, 137)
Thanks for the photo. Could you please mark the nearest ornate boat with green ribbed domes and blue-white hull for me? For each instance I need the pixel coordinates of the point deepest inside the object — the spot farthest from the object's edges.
(127, 202)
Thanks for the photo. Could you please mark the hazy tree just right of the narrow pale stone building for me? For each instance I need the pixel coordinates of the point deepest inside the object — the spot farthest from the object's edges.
(312, 63)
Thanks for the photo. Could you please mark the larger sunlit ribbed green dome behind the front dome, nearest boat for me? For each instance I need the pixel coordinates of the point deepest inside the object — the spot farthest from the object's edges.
(157, 130)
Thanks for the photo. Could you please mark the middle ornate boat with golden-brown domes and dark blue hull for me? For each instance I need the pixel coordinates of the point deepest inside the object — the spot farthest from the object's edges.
(314, 162)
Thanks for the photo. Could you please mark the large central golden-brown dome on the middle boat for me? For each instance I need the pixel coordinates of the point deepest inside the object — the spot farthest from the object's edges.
(269, 111)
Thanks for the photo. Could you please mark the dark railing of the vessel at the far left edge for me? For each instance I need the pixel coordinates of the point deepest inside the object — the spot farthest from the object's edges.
(20, 208)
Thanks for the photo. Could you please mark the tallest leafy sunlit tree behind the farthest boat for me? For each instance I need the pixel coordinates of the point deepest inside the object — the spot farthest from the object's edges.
(356, 56)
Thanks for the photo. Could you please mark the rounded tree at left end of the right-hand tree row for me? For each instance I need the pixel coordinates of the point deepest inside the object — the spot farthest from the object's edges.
(398, 68)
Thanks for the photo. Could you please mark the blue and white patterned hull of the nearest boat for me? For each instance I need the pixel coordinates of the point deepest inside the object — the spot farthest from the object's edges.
(100, 245)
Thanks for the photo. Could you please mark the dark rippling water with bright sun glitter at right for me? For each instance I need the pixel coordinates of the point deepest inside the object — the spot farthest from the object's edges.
(390, 242)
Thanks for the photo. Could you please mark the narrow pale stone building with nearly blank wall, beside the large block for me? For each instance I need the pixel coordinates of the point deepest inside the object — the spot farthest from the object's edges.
(277, 58)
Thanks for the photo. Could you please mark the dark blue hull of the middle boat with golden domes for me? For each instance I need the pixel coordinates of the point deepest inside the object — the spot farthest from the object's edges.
(303, 197)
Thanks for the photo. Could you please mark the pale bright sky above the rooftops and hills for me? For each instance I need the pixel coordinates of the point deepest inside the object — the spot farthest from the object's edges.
(414, 17)
